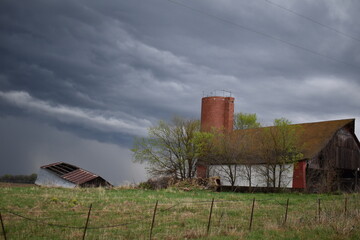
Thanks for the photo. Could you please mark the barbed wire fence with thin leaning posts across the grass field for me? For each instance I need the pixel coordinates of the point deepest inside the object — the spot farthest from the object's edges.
(190, 218)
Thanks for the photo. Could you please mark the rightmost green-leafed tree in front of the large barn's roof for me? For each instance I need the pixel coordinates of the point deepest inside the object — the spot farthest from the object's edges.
(279, 148)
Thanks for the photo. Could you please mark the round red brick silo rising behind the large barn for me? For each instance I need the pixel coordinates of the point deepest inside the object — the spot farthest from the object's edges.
(217, 113)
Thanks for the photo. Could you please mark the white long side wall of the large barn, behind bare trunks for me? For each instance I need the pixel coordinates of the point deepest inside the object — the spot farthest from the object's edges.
(257, 179)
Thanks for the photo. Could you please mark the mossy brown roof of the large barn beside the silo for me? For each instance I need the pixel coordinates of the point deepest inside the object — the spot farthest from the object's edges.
(312, 137)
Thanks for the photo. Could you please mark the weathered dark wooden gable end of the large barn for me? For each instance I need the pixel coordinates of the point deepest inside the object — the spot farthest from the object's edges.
(336, 165)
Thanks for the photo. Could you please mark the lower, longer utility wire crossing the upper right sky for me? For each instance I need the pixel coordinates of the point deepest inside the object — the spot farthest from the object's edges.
(261, 33)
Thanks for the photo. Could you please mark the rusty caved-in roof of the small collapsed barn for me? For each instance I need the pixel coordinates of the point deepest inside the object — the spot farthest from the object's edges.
(71, 172)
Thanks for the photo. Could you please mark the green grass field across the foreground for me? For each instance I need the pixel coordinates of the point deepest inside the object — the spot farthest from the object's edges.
(56, 213)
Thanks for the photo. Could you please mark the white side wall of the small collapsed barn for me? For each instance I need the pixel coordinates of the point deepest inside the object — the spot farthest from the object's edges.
(50, 179)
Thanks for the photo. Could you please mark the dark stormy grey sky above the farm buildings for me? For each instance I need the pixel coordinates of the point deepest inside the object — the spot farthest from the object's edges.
(80, 79)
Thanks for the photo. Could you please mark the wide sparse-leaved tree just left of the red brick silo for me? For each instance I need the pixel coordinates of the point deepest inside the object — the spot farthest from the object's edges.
(169, 149)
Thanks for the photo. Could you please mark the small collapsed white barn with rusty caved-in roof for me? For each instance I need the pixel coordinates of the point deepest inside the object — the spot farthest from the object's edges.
(61, 174)
